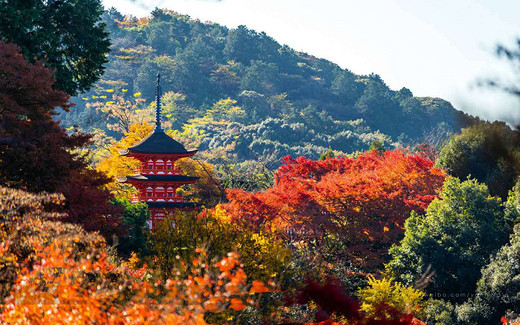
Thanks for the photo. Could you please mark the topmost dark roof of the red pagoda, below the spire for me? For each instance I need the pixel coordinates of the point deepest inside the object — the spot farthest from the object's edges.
(158, 142)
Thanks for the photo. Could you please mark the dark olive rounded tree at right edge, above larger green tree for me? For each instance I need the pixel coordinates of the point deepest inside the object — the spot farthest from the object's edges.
(487, 152)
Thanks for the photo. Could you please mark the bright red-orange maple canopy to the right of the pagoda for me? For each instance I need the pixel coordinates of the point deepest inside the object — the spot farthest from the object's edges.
(365, 199)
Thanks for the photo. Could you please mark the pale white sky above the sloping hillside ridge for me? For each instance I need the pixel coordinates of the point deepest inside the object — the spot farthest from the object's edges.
(436, 48)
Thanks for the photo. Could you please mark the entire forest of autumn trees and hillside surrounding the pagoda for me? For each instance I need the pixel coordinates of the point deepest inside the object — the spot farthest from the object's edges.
(322, 197)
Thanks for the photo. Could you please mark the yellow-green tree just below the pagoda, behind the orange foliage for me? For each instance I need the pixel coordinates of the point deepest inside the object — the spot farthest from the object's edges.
(179, 237)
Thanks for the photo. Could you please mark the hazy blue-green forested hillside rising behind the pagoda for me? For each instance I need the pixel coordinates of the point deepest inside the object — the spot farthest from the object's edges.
(240, 89)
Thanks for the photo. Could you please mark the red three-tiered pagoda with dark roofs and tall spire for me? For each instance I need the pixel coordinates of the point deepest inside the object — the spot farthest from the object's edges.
(157, 178)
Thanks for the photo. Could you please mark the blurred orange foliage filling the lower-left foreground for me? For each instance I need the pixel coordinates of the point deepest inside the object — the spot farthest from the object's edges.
(59, 274)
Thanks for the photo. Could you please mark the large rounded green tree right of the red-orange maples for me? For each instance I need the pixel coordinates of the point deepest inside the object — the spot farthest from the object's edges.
(453, 240)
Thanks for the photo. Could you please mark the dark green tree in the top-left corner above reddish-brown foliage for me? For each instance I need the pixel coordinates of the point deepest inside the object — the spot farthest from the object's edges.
(67, 36)
